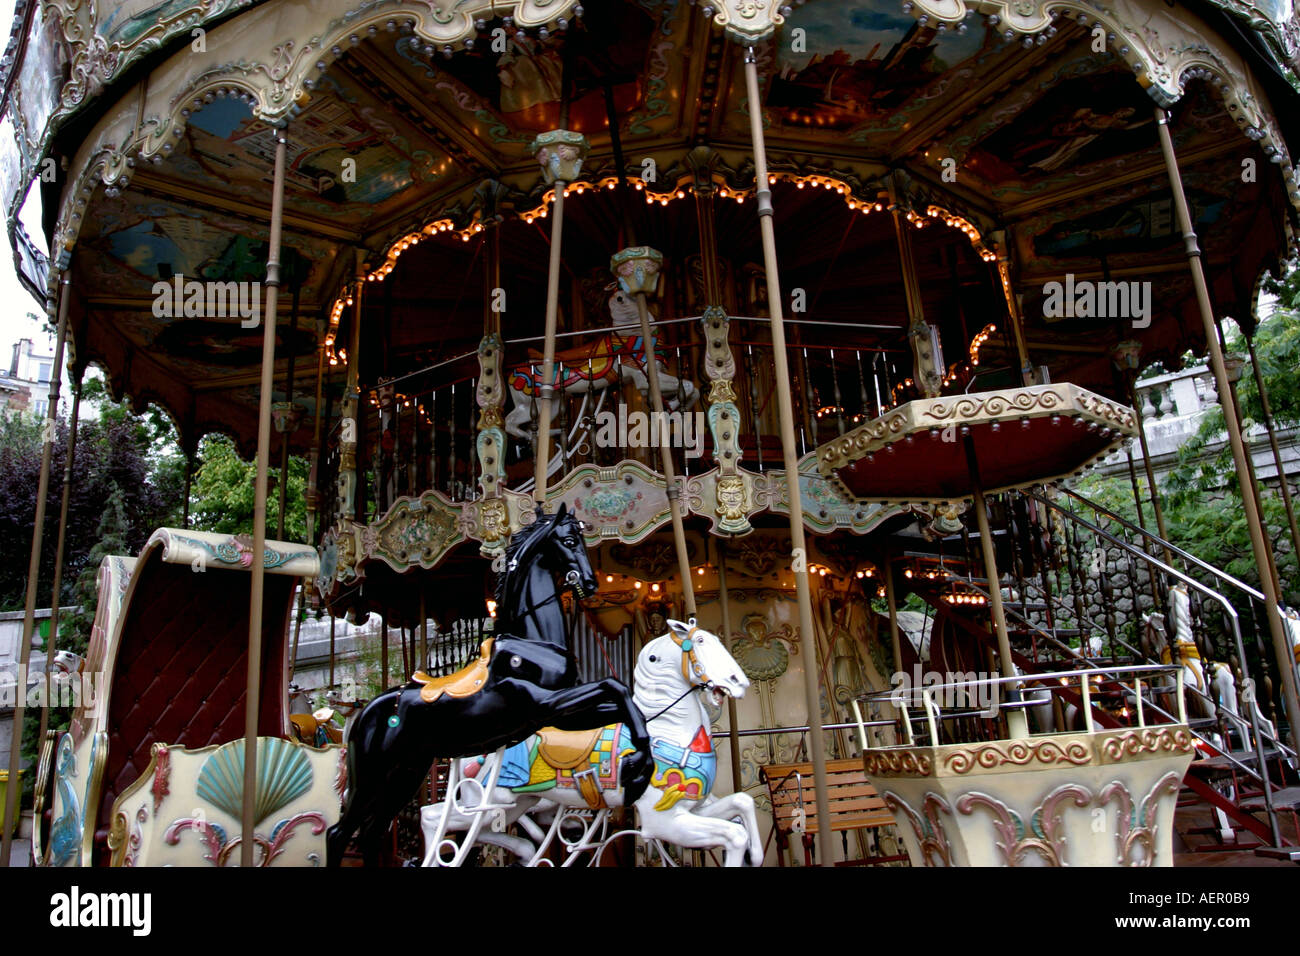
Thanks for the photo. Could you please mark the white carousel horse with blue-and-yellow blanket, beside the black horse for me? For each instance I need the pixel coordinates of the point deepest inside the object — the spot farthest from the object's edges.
(565, 773)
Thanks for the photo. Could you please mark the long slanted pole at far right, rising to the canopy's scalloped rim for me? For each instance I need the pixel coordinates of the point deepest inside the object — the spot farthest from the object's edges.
(1254, 522)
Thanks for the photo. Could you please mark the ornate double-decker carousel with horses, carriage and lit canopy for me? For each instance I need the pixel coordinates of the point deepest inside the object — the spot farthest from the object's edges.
(687, 356)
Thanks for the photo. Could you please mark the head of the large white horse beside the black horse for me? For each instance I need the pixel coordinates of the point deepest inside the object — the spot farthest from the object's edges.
(688, 657)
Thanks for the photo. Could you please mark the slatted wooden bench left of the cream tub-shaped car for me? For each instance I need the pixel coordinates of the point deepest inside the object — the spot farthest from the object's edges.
(853, 804)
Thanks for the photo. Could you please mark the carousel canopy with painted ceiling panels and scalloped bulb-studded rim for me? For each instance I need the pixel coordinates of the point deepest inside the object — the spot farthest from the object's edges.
(1016, 135)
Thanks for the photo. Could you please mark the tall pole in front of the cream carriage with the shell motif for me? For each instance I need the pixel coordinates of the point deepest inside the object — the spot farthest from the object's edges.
(253, 702)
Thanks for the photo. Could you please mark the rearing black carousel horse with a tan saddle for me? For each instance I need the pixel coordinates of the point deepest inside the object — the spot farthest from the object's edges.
(525, 680)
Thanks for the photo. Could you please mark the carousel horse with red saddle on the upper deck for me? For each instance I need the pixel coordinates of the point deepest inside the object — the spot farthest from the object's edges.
(614, 358)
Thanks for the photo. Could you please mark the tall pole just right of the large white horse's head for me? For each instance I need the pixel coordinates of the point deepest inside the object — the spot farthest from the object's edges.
(786, 409)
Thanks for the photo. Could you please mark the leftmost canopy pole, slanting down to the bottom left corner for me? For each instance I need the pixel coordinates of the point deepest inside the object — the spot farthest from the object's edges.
(29, 616)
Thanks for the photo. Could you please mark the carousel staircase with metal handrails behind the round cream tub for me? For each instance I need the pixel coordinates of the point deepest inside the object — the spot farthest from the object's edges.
(1077, 583)
